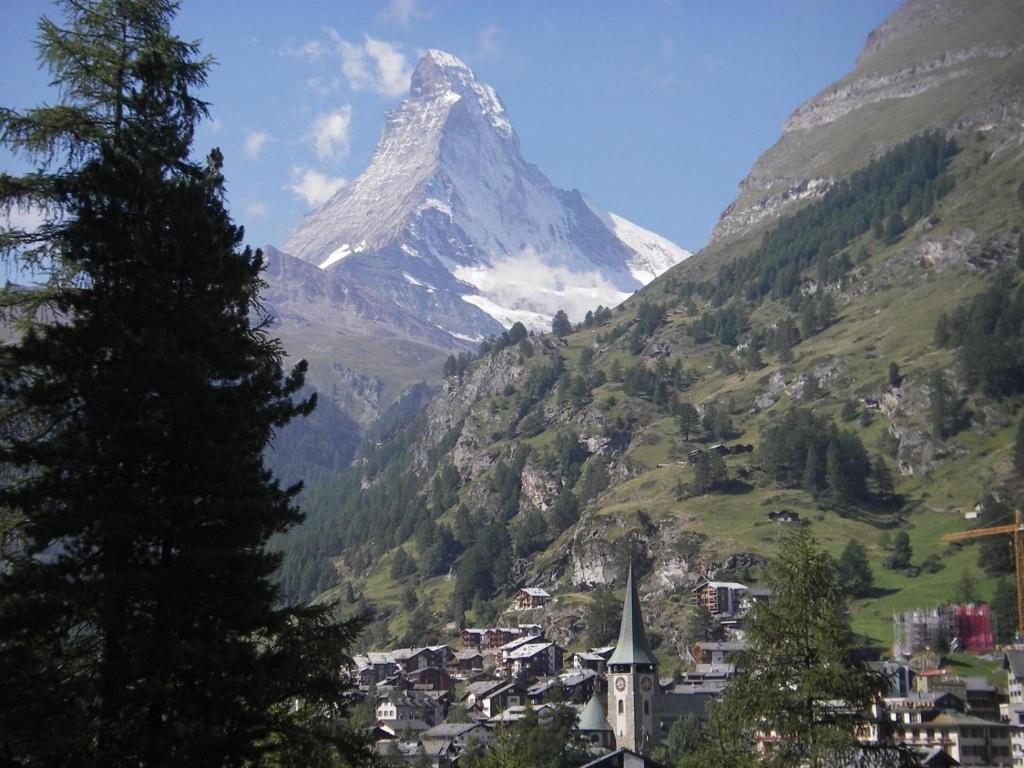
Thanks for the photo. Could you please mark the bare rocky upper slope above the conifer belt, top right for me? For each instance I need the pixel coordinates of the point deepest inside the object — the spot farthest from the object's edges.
(944, 65)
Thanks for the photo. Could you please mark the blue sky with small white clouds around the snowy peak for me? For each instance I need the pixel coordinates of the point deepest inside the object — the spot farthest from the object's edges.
(656, 109)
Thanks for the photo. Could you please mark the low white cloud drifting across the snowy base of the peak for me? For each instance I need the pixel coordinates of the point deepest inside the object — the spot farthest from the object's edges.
(529, 283)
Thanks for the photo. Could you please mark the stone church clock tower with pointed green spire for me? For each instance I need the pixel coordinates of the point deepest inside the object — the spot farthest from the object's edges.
(633, 681)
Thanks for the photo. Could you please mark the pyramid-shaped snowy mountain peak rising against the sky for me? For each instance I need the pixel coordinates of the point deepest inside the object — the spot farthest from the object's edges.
(449, 203)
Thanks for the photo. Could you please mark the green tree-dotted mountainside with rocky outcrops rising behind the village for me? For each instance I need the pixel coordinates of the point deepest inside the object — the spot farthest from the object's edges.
(854, 357)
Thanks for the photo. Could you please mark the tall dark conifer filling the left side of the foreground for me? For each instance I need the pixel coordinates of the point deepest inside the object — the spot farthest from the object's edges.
(139, 619)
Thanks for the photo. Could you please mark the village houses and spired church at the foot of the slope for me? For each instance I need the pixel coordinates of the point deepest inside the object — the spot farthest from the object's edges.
(625, 709)
